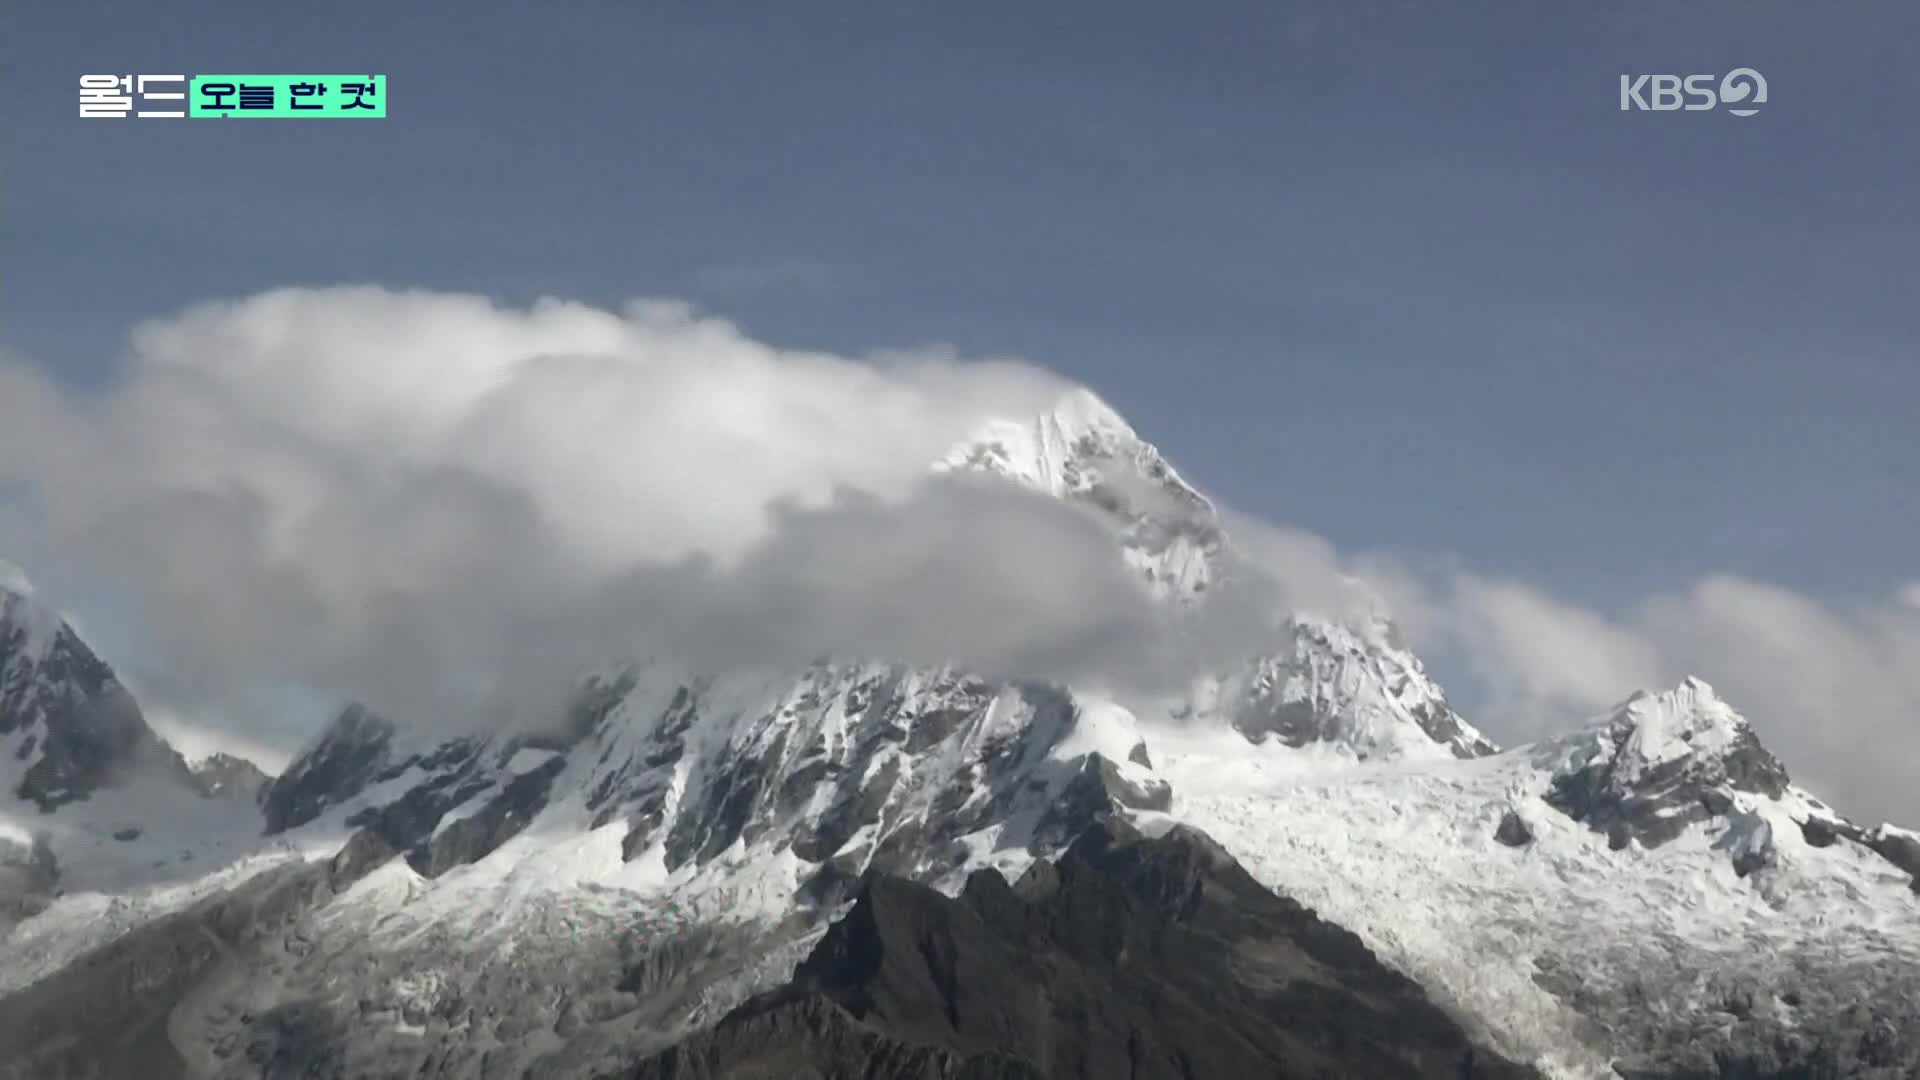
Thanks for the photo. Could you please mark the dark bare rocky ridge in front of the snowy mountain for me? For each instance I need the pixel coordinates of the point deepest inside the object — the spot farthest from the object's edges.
(1128, 958)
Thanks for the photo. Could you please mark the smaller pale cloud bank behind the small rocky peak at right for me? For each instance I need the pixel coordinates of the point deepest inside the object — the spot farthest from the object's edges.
(1833, 691)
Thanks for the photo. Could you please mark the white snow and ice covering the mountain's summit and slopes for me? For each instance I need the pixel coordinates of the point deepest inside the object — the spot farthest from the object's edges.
(731, 808)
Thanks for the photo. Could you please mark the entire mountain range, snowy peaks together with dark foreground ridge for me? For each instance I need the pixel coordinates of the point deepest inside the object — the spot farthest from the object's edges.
(575, 902)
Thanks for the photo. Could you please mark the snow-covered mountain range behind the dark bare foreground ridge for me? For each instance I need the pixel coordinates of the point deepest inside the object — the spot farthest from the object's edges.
(1648, 893)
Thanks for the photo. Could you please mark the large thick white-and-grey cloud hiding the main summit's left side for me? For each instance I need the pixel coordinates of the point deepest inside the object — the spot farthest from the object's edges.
(450, 508)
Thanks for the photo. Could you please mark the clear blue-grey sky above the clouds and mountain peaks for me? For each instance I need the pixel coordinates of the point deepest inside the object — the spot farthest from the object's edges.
(1399, 274)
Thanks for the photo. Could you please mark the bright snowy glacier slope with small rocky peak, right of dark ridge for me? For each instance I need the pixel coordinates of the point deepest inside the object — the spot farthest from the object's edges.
(1669, 920)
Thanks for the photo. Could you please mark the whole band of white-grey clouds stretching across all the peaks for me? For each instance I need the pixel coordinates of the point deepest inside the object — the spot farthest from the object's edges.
(446, 508)
